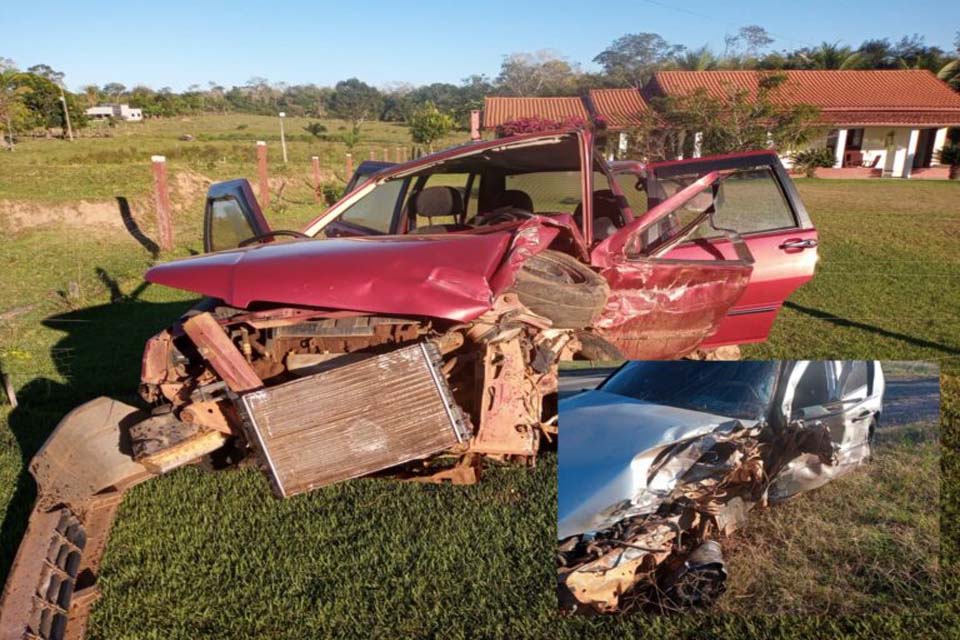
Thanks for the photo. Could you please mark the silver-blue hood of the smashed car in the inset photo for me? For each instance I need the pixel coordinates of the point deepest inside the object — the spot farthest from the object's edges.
(608, 444)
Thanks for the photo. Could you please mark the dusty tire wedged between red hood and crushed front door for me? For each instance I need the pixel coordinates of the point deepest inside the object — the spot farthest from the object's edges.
(561, 288)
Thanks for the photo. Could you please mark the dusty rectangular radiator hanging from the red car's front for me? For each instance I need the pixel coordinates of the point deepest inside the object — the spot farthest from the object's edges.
(353, 420)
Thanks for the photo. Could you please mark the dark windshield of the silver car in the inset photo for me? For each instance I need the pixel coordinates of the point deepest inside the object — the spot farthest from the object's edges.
(733, 389)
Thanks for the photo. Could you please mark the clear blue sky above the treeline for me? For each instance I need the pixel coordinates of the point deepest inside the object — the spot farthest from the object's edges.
(178, 42)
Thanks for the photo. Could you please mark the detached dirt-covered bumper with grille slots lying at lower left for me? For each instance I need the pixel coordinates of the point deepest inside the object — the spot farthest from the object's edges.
(82, 474)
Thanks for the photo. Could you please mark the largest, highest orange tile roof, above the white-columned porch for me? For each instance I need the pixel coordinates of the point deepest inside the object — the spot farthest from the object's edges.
(895, 97)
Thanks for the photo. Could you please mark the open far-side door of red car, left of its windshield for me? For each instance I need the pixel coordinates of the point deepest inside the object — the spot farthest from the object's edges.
(231, 216)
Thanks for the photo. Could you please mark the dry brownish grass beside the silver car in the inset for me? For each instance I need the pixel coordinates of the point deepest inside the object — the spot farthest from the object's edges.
(866, 541)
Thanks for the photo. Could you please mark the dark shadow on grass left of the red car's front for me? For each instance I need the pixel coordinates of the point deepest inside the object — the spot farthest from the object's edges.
(98, 355)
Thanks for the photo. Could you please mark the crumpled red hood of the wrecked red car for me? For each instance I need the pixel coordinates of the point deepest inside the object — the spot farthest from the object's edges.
(437, 276)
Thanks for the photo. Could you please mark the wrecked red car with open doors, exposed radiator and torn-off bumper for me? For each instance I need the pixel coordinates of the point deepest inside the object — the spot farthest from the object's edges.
(414, 326)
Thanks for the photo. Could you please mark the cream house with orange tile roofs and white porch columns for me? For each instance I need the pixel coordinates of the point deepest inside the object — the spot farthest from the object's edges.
(876, 123)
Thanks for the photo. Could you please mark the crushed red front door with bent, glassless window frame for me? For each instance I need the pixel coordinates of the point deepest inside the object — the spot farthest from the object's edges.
(661, 306)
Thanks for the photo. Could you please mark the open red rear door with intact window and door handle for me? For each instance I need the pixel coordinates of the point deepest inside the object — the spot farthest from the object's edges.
(760, 203)
